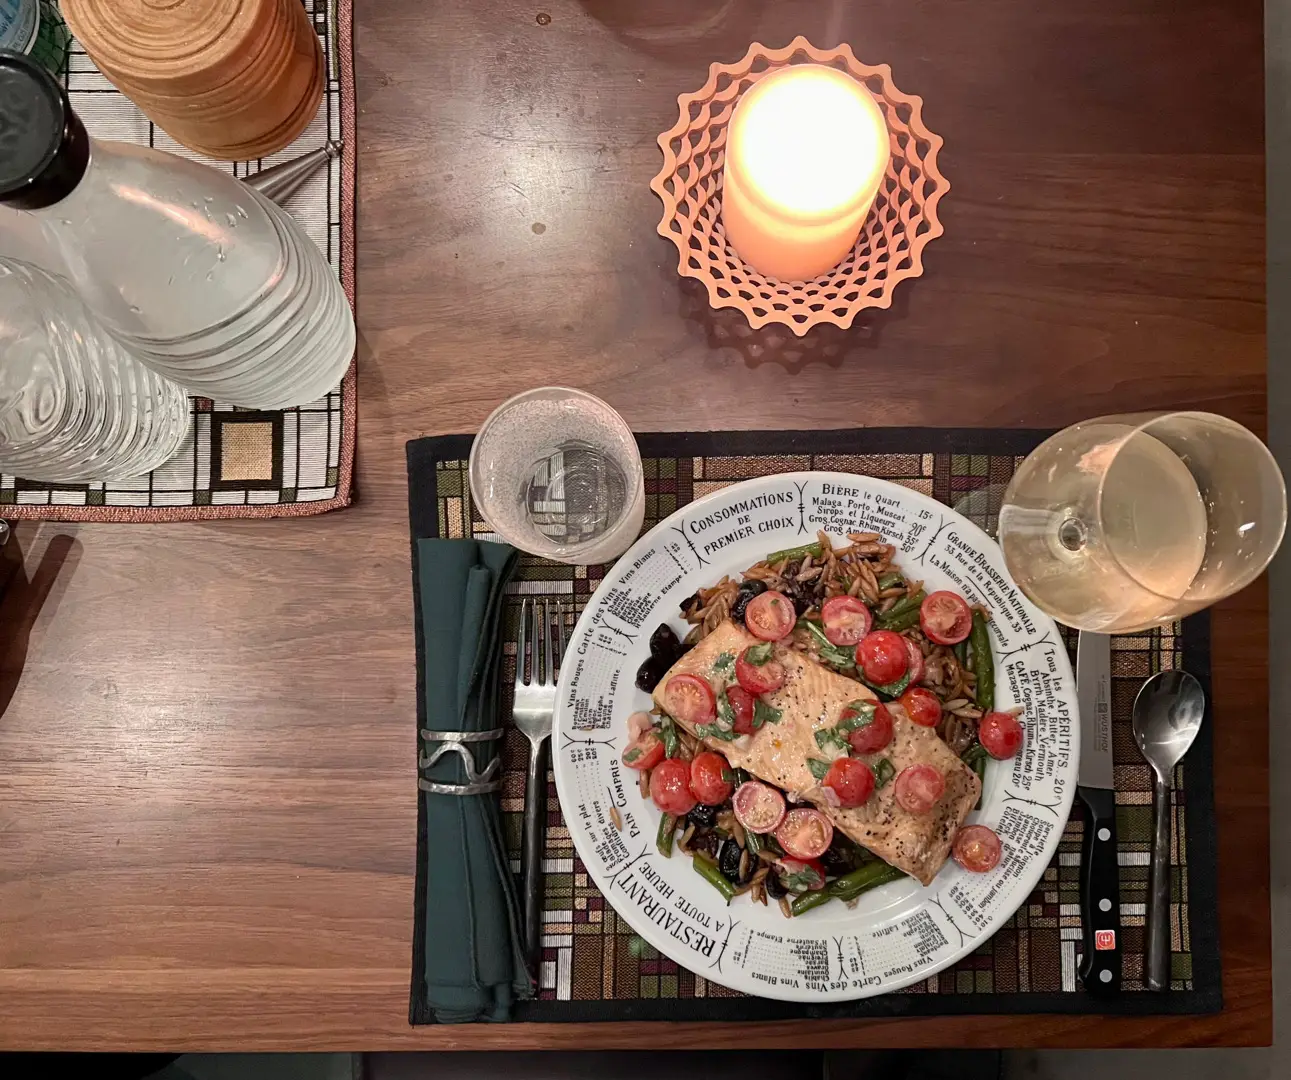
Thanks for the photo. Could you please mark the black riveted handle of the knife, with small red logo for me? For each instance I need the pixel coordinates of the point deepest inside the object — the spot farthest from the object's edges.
(1101, 894)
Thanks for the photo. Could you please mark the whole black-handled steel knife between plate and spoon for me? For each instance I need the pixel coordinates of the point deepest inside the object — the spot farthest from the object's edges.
(1101, 892)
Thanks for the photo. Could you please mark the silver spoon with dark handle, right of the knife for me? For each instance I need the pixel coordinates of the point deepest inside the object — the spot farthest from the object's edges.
(1168, 714)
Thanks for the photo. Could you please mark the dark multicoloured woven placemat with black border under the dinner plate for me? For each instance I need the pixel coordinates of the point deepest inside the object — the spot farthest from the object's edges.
(596, 968)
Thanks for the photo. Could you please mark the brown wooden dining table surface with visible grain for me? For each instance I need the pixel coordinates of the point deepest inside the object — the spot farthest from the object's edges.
(207, 783)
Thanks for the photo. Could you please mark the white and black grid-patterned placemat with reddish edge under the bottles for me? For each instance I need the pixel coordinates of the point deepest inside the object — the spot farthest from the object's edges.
(236, 463)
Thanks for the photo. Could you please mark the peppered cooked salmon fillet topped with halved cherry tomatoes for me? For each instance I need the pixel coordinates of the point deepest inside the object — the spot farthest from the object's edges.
(813, 699)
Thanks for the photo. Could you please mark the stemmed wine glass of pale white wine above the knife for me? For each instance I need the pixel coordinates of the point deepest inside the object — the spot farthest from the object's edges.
(1129, 522)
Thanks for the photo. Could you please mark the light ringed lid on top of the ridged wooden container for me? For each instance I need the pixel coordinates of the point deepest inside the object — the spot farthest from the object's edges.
(178, 46)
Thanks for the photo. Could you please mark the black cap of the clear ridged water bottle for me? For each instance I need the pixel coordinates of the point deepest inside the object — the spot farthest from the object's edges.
(45, 149)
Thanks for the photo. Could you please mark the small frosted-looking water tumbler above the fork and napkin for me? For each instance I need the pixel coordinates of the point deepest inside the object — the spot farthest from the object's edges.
(557, 473)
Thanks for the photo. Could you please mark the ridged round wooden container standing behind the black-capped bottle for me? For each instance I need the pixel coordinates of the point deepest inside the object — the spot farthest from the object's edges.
(233, 79)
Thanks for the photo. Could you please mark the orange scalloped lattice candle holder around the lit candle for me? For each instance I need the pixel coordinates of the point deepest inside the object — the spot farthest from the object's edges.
(890, 250)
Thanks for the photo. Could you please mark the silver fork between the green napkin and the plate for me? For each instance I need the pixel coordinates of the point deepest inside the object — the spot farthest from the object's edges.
(535, 705)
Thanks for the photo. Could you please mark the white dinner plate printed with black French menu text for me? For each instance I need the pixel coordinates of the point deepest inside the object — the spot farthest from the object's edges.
(899, 934)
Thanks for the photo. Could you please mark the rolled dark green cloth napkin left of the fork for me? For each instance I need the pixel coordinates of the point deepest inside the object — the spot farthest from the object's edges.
(474, 944)
